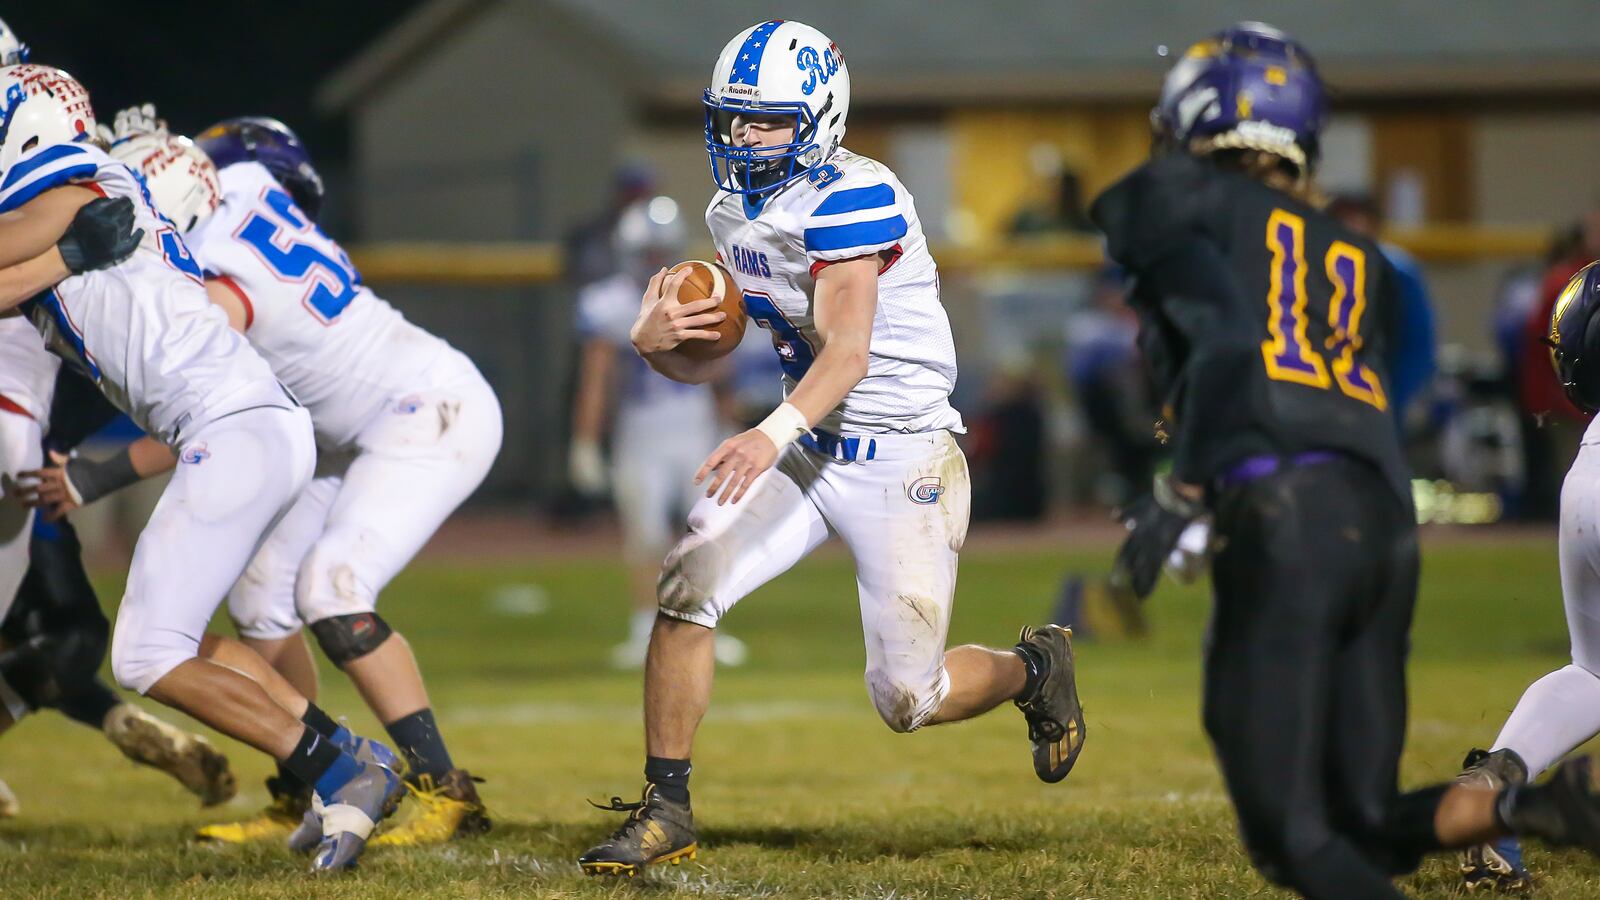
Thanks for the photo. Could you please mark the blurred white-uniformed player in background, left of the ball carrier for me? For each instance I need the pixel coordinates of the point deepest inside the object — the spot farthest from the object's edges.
(662, 430)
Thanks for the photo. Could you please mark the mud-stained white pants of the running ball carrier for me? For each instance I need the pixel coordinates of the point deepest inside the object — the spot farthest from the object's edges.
(903, 515)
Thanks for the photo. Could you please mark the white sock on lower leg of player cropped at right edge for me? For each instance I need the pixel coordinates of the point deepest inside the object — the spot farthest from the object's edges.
(1556, 715)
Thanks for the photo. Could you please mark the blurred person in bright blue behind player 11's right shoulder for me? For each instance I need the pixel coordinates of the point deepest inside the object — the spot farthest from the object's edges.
(1414, 356)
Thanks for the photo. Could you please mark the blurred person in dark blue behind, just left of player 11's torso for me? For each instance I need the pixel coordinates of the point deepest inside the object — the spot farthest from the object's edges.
(1106, 374)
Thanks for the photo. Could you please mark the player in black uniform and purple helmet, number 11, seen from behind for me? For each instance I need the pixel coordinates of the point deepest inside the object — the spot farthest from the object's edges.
(1265, 324)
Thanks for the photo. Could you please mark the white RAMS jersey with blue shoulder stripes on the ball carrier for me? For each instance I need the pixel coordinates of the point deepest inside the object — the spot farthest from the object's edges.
(849, 207)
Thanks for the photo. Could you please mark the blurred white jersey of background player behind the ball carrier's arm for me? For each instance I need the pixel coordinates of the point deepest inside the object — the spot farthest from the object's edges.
(607, 311)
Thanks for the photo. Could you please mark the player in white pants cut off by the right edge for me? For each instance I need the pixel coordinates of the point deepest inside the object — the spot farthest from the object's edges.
(1562, 710)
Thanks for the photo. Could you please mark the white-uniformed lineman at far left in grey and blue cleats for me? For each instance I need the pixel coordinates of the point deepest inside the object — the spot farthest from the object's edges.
(146, 334)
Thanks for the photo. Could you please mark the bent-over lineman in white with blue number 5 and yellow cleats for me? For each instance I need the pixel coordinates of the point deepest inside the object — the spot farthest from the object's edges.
(406, 425)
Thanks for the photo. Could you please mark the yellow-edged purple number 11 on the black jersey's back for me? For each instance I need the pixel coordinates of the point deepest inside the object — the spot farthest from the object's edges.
(1289, 353)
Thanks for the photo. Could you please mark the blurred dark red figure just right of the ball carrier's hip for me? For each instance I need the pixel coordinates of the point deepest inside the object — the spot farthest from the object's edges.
(1007, 451)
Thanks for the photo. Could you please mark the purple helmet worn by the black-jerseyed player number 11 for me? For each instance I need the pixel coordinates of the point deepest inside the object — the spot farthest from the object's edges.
(1247, 87)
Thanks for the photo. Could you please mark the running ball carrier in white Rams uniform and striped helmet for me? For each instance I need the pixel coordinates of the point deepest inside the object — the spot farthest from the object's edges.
(833, 262)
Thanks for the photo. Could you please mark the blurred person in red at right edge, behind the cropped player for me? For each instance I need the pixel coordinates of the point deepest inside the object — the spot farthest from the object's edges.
(1551, 425)
